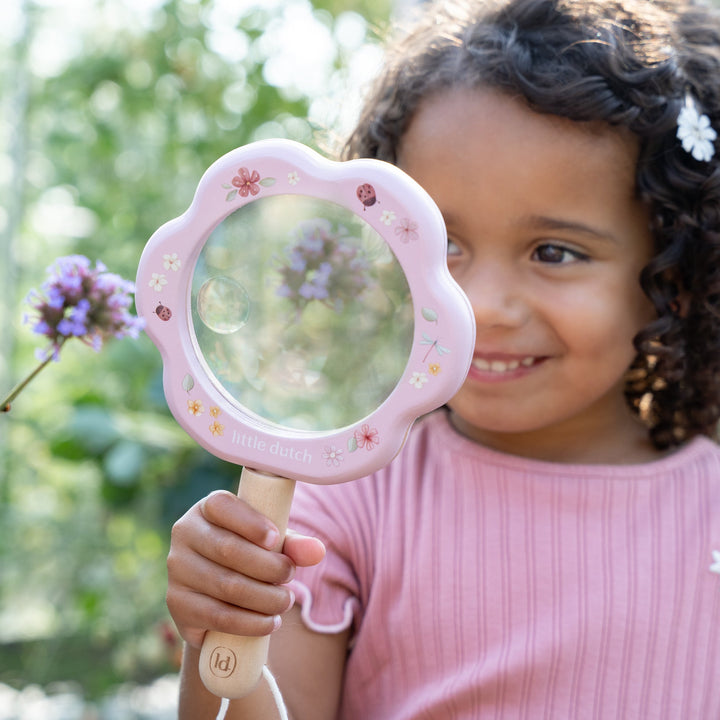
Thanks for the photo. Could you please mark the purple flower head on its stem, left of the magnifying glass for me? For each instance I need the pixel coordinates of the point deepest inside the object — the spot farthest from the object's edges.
(82, 301)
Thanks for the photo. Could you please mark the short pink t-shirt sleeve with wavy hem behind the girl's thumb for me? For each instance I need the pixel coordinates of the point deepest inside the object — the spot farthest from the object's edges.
(331, 594)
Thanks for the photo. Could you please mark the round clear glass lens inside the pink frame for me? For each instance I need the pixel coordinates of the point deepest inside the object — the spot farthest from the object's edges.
(301, 313)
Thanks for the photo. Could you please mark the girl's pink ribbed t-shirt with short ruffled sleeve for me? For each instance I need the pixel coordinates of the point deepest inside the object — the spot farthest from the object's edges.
(479, 585)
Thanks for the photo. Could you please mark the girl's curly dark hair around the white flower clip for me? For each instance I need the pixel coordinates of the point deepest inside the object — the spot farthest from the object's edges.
(629, 63)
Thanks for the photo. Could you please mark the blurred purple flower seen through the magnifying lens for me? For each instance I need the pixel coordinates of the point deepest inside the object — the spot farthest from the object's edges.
(322, 265)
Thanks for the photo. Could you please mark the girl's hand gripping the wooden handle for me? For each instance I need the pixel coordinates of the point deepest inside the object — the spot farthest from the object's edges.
(223, 576)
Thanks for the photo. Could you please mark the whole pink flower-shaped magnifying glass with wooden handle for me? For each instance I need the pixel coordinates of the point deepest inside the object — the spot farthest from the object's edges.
(306, 317)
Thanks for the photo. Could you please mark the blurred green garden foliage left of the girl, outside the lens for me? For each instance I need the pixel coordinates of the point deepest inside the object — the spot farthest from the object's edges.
(110, 111)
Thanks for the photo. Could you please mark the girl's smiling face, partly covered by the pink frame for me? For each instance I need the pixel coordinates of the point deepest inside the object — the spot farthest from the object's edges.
(547, 239)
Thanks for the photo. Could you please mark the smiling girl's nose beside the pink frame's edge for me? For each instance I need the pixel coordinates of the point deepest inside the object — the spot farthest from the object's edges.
(497, 296)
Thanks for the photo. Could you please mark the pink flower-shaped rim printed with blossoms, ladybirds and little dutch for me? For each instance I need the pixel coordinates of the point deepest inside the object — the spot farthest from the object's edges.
(405, 217)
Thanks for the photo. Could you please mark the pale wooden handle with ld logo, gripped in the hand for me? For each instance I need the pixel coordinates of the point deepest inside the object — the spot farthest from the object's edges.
(231, 665)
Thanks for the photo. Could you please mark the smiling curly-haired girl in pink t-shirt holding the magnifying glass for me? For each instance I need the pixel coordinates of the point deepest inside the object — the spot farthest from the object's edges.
(549, 545)
